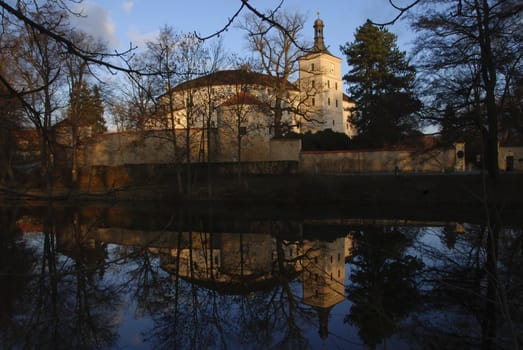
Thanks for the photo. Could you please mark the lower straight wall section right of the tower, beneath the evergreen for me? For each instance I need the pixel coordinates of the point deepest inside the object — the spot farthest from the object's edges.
(361, 161)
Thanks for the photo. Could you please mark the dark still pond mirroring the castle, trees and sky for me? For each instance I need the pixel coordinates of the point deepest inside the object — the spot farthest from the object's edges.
(157, 276)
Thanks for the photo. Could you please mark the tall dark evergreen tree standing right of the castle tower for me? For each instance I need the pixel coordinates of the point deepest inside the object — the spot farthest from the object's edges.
(381, 83)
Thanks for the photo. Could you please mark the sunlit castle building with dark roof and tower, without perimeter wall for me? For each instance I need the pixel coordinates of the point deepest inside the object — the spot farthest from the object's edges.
(240, 111)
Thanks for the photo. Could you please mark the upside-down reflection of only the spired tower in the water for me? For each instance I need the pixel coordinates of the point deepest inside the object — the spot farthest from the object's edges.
(324, 278)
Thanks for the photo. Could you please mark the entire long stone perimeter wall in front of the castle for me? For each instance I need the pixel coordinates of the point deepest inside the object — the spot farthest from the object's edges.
(156, 147)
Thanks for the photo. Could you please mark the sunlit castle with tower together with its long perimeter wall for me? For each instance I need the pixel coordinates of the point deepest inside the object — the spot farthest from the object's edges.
(238, 115)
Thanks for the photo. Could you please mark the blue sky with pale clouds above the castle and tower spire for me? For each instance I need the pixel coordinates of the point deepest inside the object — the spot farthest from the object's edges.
(122, 23)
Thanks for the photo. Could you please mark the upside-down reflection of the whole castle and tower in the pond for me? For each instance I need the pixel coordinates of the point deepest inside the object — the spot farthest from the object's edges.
(243, 263)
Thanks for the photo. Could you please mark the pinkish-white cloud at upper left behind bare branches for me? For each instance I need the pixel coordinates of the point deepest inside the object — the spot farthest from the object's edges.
(97, 22)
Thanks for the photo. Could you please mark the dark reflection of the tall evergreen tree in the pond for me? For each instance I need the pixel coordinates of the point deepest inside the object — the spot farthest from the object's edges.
(383, 288)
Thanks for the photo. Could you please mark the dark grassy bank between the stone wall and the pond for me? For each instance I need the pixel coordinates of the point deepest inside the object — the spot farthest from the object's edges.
(421, 189)
